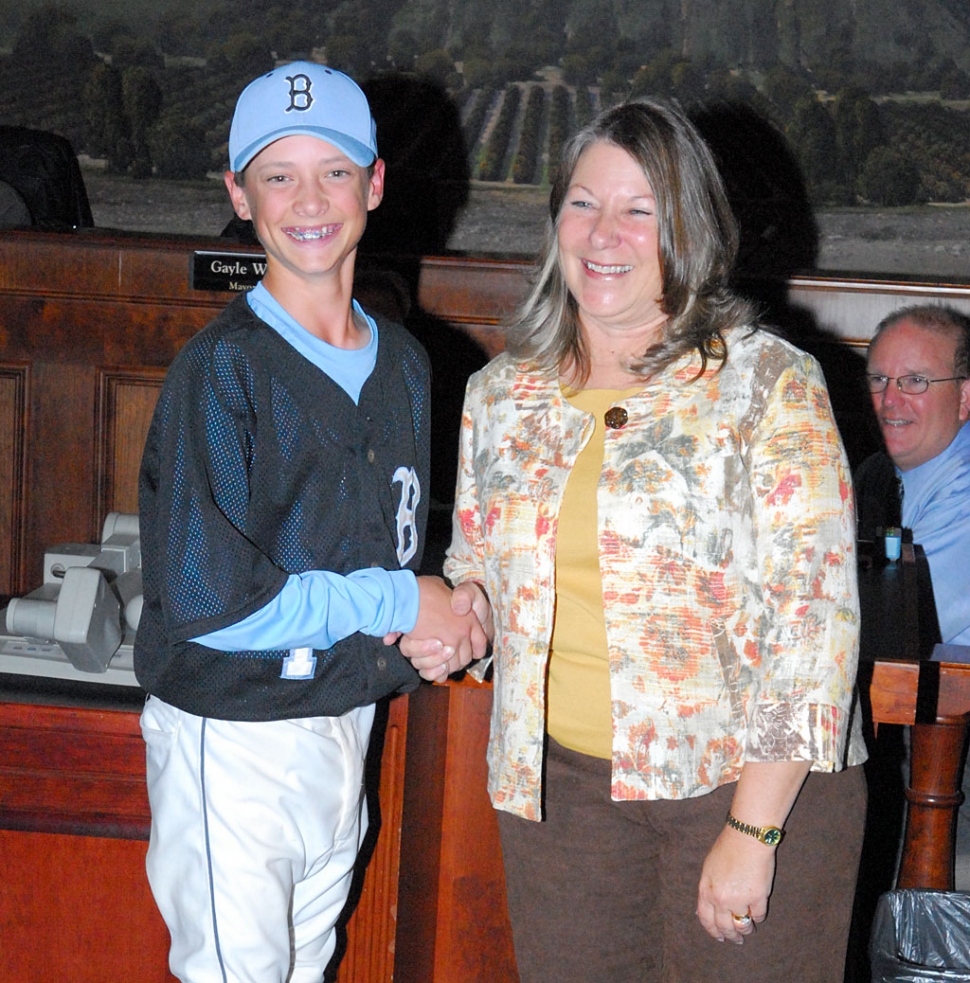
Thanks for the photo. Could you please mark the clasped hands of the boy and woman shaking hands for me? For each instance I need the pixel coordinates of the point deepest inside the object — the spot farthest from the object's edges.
(453, 628)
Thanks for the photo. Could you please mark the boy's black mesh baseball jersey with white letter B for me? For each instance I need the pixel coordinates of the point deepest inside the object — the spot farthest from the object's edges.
(257, 466)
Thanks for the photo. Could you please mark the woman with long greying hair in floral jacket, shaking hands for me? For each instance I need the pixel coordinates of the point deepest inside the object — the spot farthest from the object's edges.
(654, 497)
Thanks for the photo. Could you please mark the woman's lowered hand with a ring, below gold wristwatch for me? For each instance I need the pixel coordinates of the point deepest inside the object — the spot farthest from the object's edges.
(735, 885)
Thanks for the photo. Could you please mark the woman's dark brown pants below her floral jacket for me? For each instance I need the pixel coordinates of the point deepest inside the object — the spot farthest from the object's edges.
(604, 890)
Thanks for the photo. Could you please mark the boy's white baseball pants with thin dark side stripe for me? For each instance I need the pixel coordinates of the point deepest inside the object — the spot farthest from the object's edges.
(255, 831)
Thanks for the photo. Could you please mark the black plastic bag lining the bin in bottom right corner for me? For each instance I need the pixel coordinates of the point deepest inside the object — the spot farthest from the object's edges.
(921, 936)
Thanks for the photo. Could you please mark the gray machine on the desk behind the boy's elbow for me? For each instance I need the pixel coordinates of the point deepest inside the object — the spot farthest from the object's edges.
(80, 623)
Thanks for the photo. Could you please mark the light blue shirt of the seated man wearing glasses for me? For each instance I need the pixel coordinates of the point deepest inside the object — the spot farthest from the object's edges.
(936, 506)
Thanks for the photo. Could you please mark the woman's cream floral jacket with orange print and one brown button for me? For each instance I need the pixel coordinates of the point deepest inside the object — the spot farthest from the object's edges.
(727, 545)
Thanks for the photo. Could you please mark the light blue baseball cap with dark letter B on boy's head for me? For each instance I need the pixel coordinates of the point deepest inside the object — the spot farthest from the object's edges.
(302, 98)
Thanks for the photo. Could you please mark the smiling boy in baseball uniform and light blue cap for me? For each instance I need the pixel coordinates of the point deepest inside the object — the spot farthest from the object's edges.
(282, 518)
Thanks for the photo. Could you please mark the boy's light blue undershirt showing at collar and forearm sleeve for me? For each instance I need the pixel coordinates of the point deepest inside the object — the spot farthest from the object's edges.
(319, 608)
